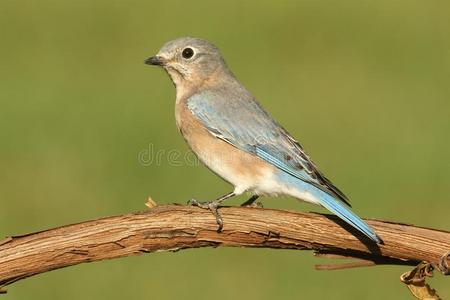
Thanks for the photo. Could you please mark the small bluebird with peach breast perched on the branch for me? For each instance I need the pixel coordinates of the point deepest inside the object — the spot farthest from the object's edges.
(236, 138)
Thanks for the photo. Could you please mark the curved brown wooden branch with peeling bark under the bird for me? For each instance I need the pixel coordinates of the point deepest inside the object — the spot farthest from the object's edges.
(174, 227)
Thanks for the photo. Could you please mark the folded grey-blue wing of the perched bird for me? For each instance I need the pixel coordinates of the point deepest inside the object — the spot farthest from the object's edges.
(240, 121)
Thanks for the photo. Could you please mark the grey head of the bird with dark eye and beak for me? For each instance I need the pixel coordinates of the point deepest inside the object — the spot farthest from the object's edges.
(189, 60)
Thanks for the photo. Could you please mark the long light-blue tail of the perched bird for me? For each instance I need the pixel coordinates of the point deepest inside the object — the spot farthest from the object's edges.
(335, 206)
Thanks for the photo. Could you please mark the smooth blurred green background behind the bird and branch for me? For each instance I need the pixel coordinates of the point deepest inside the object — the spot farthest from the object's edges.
(364, 85)
